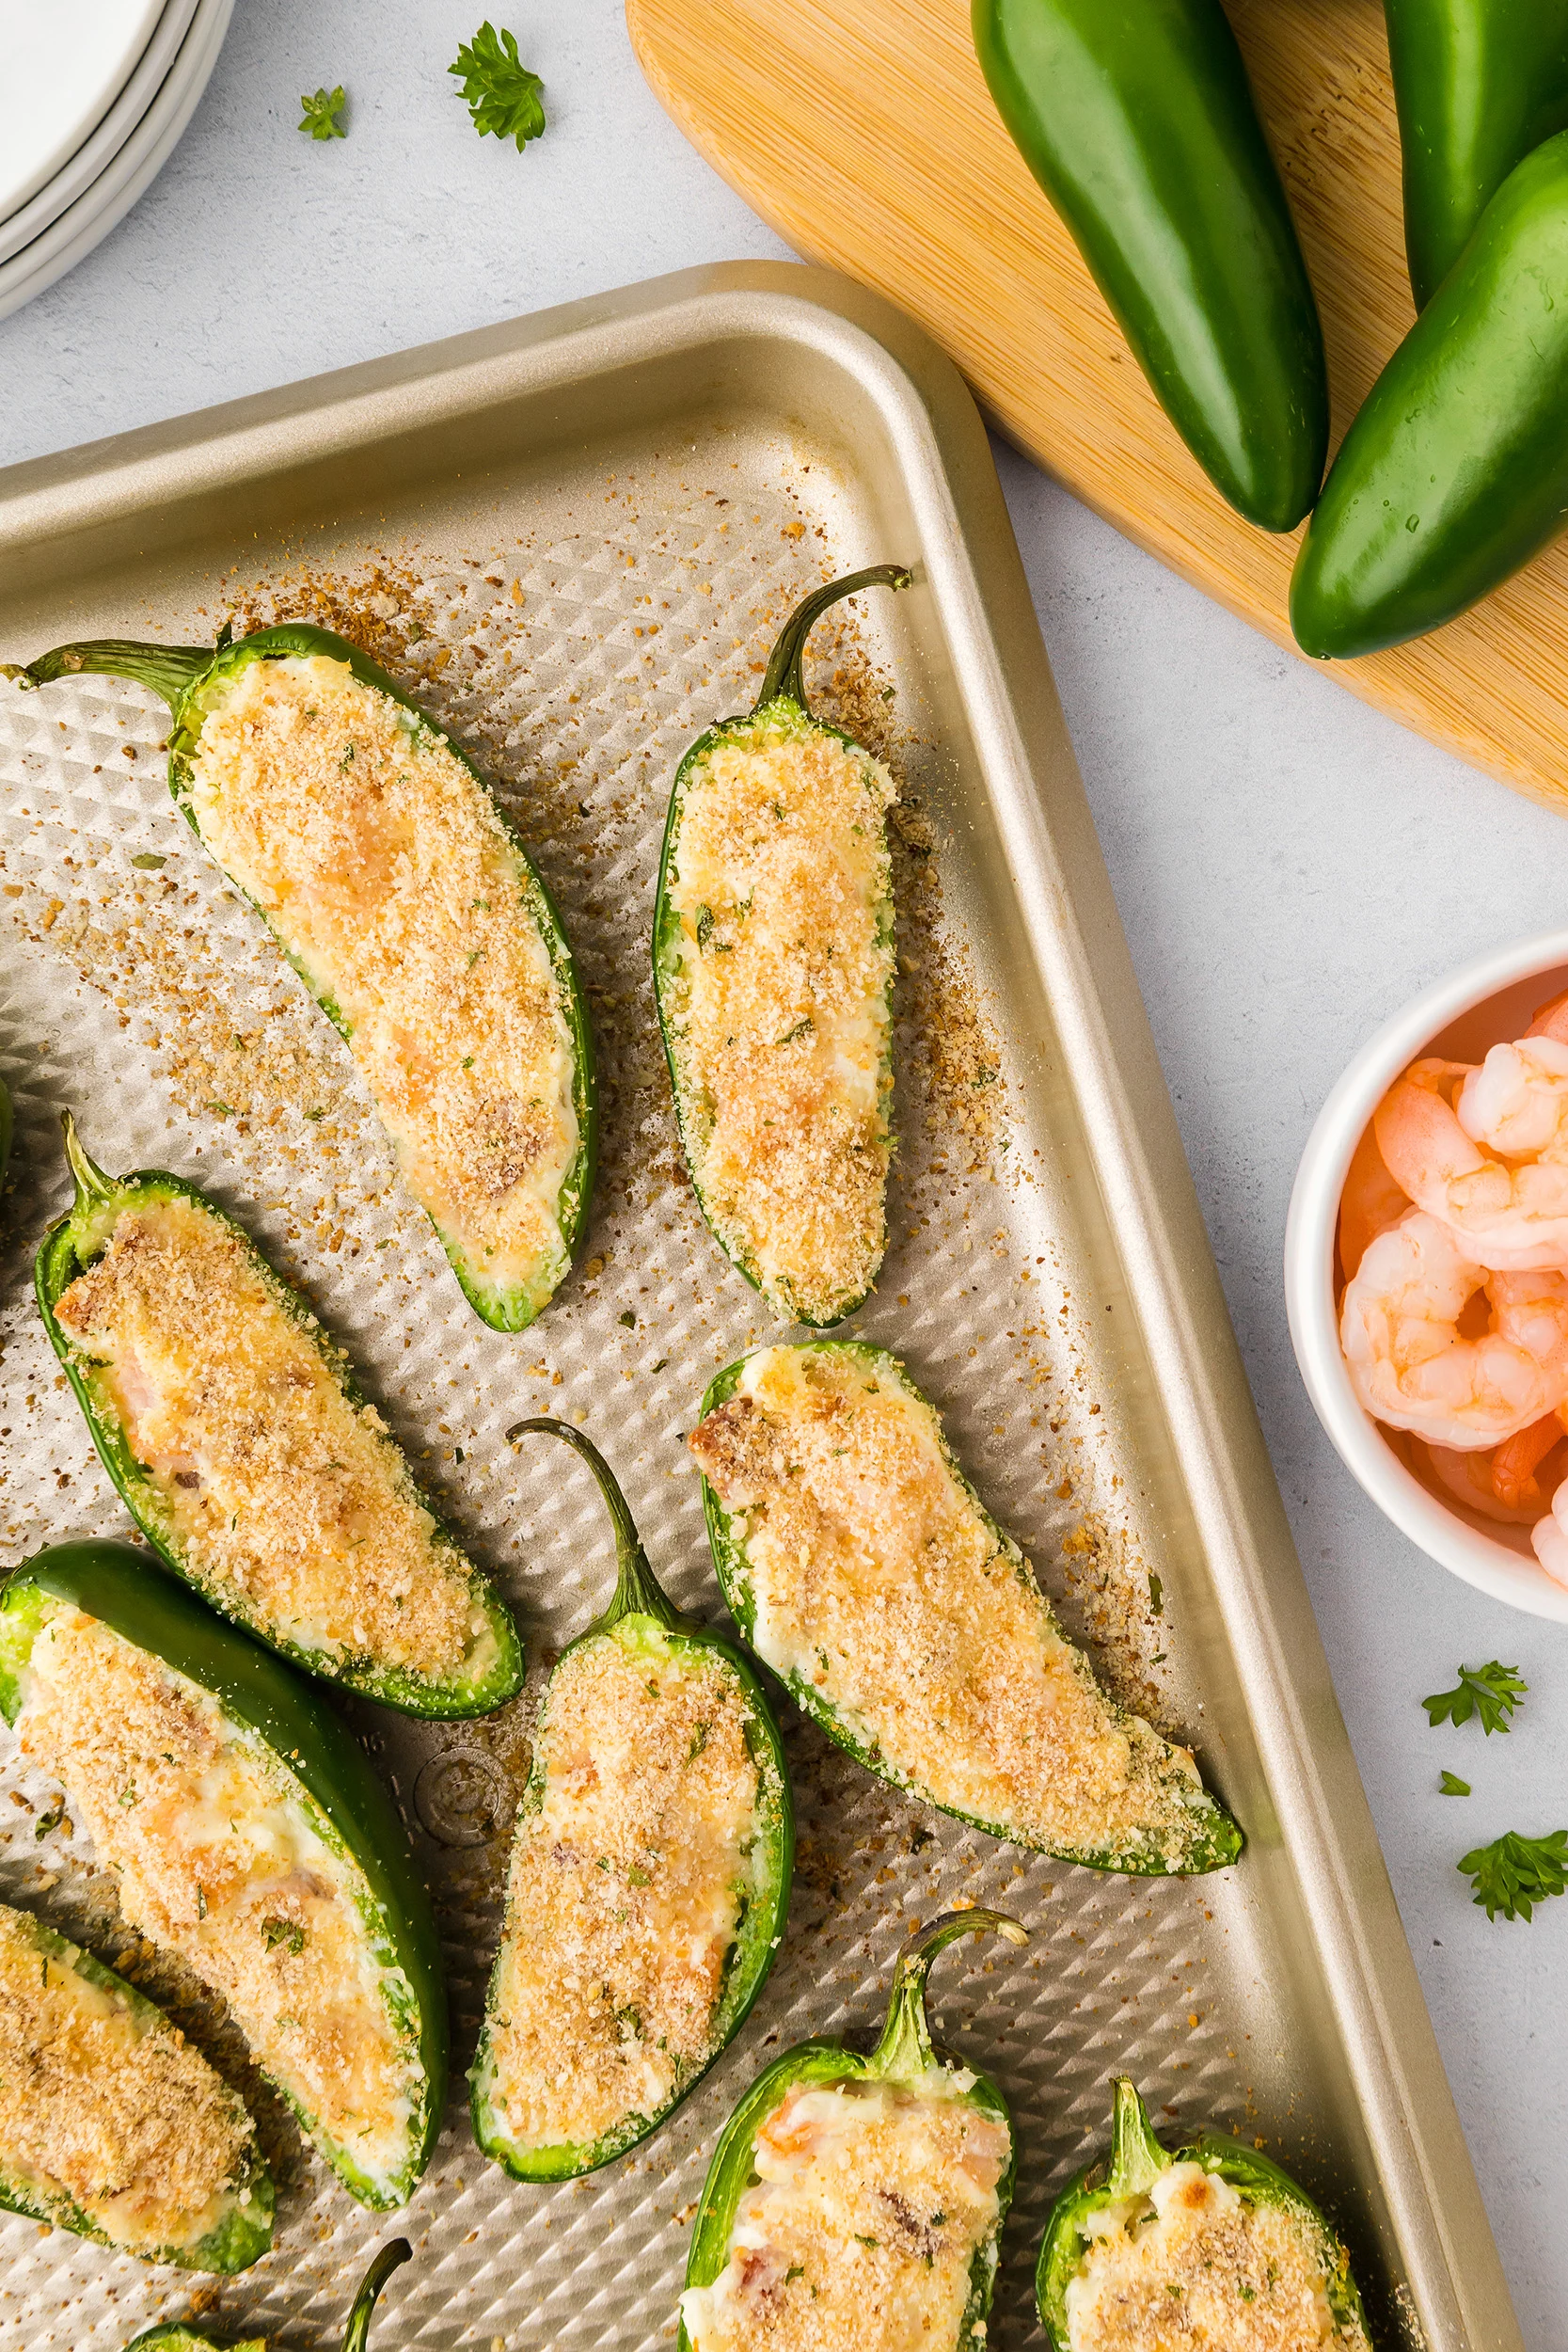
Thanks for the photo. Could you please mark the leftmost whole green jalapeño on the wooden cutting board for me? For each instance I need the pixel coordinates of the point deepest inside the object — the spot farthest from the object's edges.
(1139, 123)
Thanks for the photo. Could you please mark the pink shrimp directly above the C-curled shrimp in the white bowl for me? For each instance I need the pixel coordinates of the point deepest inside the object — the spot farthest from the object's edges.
(1506, 1217)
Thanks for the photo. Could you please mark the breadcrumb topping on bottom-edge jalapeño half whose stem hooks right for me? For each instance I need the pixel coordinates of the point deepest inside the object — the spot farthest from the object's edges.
(862, 2233)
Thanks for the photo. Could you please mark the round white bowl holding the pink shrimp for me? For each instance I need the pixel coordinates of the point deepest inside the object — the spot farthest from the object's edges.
(1487, 1001)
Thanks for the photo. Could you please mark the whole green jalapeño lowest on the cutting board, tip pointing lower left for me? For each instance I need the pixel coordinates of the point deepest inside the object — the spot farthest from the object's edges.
(1456, 469)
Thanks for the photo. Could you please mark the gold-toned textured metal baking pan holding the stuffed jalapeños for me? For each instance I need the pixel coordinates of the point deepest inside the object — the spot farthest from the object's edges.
(575, 542)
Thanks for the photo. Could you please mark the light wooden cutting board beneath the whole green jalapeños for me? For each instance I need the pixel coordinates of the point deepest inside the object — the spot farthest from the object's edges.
(864, 133)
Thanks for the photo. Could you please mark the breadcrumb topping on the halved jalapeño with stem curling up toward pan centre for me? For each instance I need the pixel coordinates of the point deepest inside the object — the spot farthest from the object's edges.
(626, 1890)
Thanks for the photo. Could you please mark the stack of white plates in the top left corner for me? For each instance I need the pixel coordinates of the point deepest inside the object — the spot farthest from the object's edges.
(93, 100)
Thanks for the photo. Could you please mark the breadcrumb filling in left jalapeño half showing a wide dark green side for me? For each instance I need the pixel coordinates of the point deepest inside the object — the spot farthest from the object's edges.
(220, 1862)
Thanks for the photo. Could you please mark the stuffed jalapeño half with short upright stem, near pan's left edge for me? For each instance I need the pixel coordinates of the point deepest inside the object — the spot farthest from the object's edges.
(246, 1452)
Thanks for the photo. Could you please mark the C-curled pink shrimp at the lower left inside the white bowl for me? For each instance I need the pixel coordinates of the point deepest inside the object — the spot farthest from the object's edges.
(1414, 1370)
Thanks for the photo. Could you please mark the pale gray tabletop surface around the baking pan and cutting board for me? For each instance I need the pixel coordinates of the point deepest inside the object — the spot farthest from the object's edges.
(1289, 867)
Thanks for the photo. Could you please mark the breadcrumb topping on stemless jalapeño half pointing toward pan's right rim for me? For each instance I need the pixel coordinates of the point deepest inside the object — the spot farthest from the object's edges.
(880, 1584)
